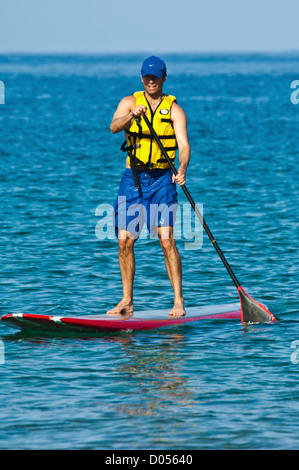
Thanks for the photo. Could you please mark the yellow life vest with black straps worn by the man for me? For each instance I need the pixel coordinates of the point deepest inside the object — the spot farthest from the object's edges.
(141, 146)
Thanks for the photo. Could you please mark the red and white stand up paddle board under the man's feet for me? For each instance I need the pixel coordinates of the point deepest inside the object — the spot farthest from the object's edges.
(146, 320)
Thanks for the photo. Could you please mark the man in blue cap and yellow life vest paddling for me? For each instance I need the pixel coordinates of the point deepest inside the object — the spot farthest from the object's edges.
(148, 179)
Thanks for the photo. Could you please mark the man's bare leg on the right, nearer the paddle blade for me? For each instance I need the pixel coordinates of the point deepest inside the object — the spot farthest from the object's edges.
(174, 268)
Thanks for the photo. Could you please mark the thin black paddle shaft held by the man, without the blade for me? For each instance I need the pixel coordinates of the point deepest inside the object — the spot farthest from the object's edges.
(190, 199)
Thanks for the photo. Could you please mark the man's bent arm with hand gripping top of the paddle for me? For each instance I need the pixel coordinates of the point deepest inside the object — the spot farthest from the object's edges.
(125, 114)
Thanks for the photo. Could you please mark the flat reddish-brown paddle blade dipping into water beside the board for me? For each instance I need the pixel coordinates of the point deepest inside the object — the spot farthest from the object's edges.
(252, 311)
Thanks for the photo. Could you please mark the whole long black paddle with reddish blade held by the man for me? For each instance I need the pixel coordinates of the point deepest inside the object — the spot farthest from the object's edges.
(251, 310)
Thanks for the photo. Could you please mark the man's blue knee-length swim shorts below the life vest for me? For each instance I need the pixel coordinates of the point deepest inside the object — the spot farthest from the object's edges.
(154, 202)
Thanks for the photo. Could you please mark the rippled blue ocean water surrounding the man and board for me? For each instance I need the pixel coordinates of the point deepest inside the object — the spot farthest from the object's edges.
(212, 385)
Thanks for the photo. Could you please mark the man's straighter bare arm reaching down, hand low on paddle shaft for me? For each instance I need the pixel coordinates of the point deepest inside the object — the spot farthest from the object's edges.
(179, 120)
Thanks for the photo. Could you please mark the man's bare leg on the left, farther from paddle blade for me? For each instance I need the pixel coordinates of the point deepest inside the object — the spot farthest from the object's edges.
(126, 260)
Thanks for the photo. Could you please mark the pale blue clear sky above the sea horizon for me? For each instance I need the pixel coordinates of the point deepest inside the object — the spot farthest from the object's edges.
(108, 26)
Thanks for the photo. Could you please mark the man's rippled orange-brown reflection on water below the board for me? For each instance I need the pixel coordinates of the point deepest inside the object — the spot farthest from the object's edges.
(158, 376)
